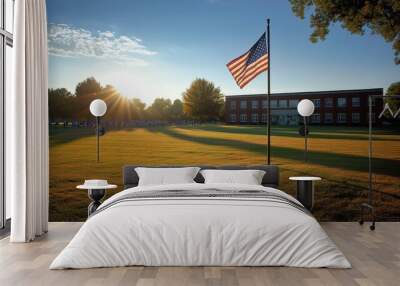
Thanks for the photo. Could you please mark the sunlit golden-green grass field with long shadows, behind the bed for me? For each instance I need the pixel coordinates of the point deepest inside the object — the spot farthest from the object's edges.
(338, 154)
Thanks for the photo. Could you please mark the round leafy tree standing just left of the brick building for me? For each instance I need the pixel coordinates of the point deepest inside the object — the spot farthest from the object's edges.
(203, 101)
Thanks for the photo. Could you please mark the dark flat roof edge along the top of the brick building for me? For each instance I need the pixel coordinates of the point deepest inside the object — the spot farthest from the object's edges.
(369, 91)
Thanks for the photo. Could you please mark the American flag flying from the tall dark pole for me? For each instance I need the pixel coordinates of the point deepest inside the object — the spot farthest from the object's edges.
(249, 65)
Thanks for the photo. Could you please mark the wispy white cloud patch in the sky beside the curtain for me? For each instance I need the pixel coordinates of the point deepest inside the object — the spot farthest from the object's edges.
(67, 41)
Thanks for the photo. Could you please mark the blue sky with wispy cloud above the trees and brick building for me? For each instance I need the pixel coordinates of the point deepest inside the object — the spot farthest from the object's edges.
(150, 49)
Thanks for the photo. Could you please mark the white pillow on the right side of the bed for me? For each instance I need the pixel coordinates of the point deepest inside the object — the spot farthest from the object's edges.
(248, 177)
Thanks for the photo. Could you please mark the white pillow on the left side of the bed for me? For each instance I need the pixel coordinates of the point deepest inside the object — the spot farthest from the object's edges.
(166, 176)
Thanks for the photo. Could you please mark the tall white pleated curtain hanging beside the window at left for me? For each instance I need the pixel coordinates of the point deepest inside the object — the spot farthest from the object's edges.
(27, 124)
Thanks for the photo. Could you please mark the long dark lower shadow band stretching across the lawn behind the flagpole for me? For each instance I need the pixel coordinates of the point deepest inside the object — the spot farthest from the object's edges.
(341, 161)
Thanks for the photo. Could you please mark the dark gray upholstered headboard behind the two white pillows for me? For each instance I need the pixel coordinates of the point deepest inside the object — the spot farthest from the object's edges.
(271, 177)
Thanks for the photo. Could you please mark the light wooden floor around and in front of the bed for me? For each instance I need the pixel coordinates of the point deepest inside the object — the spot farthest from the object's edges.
(375, 257)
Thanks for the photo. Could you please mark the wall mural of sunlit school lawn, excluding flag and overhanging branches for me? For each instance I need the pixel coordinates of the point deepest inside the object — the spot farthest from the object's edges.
(164, 83)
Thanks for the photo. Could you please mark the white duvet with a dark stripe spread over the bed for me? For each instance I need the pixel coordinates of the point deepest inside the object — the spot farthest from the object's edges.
(203, 232)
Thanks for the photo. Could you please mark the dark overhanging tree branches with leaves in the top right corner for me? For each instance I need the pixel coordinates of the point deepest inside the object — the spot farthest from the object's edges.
(382, 17)
